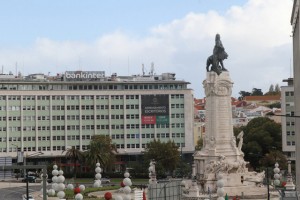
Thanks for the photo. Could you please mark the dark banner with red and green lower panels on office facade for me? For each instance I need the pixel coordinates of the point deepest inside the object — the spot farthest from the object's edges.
(155, 109)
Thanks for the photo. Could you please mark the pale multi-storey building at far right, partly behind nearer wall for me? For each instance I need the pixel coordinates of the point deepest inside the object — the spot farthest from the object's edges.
(288, 123)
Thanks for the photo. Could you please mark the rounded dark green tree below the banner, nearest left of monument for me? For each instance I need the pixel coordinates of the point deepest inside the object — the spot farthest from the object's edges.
(165, 154)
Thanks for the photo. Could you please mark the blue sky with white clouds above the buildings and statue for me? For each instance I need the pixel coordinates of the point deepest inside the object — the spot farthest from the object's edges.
(176, 35)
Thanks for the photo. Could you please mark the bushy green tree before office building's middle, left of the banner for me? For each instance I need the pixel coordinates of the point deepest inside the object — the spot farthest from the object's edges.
(101, 150)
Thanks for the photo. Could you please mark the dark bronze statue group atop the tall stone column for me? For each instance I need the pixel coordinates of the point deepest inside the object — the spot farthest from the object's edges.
(216, 60)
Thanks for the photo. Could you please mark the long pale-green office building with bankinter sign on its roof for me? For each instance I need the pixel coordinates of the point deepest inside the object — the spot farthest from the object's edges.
(50, 114)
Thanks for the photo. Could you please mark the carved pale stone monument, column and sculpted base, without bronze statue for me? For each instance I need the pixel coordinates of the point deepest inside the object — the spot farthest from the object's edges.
(220, 152)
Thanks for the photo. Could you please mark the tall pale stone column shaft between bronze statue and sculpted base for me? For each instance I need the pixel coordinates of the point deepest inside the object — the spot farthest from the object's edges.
(219, 131)
